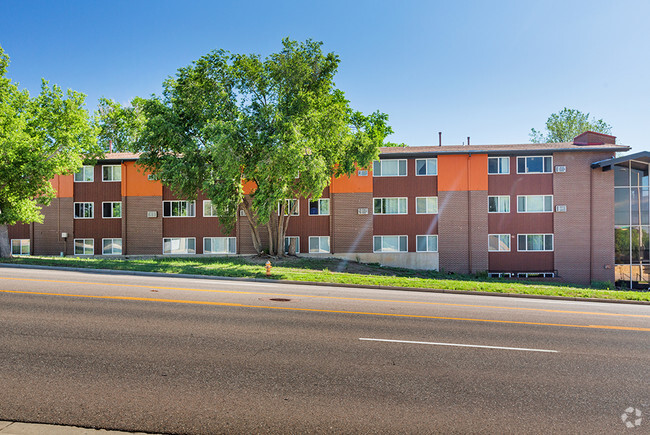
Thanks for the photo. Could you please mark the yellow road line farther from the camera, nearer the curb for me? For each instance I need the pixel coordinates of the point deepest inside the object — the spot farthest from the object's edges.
(328, 297)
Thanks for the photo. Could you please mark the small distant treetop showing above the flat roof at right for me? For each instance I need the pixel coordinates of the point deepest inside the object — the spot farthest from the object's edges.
(566, 125)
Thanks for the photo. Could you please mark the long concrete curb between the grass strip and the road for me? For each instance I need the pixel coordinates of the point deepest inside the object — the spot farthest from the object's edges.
(321, 284)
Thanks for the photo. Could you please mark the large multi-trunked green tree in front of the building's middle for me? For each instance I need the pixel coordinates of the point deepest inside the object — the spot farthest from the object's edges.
(278, 122)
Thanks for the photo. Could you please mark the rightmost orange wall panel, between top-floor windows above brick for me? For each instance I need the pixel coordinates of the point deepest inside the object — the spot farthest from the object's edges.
(453, 172)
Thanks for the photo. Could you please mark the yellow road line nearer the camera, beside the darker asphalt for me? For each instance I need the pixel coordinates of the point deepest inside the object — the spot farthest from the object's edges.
(316, 310)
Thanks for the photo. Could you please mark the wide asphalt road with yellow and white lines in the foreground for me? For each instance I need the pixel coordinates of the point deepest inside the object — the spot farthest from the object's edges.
(202, 356)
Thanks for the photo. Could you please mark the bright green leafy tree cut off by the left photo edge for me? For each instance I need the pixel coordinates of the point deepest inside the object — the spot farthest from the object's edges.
(40, 137)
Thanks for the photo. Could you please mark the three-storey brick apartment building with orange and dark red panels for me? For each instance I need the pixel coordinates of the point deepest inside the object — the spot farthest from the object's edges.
(511, 210)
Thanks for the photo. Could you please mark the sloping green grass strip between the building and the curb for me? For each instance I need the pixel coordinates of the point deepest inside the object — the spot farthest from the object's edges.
(332, 271)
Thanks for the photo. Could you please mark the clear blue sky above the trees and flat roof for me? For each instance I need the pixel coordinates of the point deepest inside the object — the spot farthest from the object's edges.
(486, 69)
